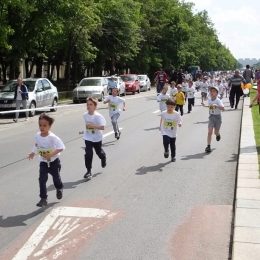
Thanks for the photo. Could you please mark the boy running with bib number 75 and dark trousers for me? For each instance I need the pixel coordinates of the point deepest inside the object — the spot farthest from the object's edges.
(168, 127)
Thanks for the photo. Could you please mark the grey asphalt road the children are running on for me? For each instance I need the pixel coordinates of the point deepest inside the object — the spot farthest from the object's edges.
(150, 208)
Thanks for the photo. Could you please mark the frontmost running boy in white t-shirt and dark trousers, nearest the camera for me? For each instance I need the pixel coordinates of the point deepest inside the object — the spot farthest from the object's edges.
(48, 146)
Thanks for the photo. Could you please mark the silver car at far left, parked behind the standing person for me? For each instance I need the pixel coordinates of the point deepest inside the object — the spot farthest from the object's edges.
(42, 93)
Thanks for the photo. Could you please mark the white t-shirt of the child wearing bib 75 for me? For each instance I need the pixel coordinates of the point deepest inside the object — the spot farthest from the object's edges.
(170, 123)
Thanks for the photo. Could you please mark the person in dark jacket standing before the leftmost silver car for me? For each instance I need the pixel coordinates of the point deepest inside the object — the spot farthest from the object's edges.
(20, 97)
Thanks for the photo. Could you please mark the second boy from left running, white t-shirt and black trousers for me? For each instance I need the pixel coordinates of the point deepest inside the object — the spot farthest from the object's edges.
(93, 136)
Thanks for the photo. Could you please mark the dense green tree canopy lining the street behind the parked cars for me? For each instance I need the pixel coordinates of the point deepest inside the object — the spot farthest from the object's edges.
(113, 35)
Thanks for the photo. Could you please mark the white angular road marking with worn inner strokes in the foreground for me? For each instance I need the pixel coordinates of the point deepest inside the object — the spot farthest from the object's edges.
(65, 229)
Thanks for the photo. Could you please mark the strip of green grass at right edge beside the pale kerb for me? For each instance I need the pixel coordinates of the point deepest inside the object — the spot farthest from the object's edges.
(256, 122)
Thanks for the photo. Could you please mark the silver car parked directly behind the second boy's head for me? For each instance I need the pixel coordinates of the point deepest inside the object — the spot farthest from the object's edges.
(95, 87)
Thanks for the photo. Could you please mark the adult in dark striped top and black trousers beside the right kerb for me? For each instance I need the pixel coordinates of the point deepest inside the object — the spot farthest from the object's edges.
(236, 90)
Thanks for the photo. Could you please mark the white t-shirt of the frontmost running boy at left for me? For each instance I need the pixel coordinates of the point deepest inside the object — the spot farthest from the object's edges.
(47, 144)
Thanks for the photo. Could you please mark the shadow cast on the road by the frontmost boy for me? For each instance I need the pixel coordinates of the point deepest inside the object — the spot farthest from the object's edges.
(16, 221)
